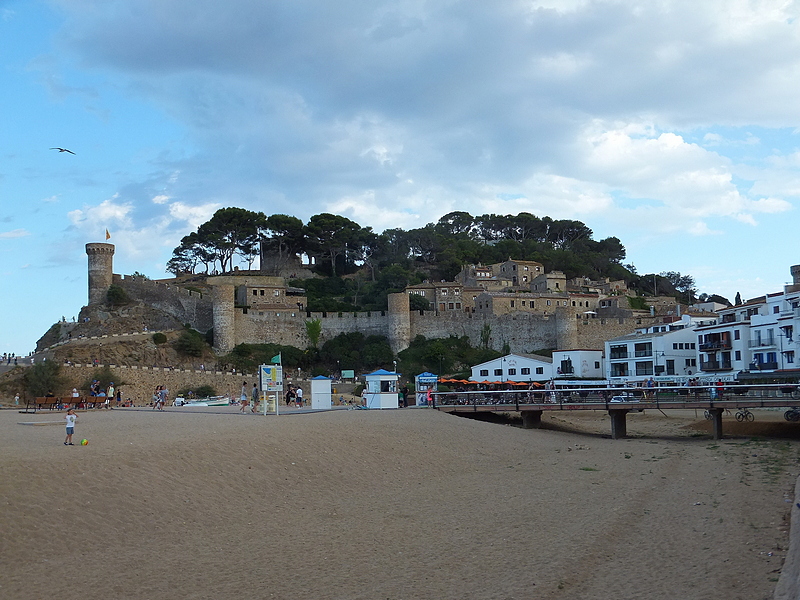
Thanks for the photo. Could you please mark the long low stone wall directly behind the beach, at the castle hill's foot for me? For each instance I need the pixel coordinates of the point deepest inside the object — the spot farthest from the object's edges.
(138, 383)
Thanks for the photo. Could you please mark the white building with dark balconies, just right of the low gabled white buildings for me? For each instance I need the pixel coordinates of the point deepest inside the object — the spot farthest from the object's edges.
(665, 352)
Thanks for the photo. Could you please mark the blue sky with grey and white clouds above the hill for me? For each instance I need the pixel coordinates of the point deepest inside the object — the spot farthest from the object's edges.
(673, 125)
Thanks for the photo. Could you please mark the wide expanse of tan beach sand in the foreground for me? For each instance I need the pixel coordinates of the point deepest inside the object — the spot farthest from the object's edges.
(396, 505)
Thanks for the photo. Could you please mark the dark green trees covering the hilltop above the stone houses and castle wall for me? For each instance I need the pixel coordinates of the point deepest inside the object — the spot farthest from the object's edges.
(356, 268)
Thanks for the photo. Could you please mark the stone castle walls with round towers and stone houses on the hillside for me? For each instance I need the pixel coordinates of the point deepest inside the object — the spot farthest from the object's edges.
(514, 303)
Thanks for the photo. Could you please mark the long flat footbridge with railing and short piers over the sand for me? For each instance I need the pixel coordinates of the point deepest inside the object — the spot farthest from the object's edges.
(618, 402)
